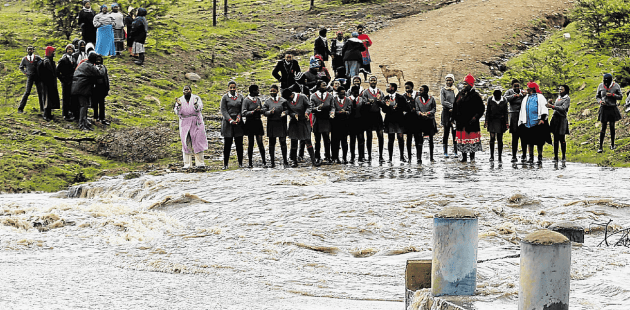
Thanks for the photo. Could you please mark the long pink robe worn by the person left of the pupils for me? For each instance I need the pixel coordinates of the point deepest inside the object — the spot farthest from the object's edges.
(191, 123)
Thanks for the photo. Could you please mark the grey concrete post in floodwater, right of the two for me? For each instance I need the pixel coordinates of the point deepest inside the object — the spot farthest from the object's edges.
(545, 271)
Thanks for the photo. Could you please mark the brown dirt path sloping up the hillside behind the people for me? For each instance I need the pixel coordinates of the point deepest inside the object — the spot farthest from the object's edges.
(454, 39)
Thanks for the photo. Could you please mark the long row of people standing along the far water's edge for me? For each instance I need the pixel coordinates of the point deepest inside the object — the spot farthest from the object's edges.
(334, 112)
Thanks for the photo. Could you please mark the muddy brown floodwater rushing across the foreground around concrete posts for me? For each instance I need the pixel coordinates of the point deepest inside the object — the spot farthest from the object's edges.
(334, 237)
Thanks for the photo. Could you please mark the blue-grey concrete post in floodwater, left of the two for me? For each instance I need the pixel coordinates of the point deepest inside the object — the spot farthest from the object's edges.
(455, 238)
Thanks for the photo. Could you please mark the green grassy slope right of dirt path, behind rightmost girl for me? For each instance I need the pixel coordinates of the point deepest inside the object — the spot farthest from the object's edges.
(576, 63)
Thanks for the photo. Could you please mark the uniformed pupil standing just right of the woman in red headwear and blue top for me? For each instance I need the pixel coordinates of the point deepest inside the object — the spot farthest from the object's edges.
(559, 124)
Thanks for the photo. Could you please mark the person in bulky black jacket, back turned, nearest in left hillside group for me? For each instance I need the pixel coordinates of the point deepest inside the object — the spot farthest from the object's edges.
(82, 83)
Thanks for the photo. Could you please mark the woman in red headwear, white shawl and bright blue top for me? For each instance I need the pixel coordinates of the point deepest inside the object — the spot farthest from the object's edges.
(533, 123)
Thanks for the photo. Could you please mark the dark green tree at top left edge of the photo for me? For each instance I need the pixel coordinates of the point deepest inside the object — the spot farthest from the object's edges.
(64, 14)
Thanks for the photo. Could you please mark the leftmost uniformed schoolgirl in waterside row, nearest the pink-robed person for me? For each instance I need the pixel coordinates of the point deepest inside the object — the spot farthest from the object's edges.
(232, 125)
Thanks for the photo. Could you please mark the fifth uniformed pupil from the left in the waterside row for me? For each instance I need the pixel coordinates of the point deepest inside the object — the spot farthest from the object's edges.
(321, 102)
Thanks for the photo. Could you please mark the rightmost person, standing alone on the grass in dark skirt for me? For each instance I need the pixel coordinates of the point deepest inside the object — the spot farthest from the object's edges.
(608, 92)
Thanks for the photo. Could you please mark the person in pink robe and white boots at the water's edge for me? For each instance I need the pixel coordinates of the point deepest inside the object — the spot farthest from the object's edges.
(192, 130)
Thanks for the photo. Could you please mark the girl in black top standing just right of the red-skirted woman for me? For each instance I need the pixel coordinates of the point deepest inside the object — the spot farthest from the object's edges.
(496, 121)
